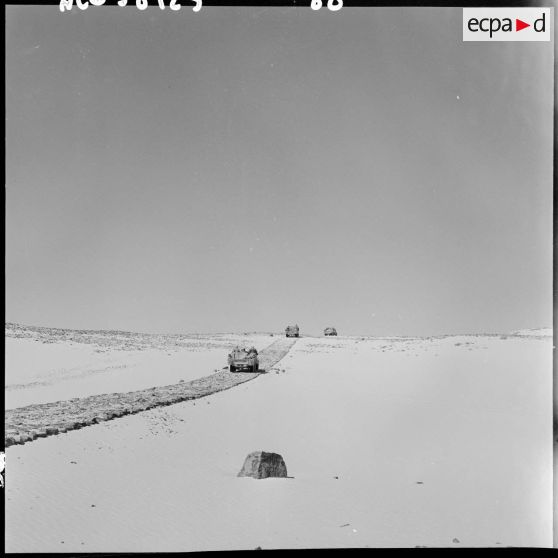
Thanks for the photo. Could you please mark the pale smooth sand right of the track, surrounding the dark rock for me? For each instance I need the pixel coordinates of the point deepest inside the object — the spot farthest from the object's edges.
(391, 442)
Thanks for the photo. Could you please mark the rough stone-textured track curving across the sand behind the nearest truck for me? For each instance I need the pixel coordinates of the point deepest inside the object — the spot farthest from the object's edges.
(25, 424)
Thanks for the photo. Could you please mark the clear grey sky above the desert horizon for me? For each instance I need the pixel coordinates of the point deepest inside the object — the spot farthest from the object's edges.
(241, 169)
